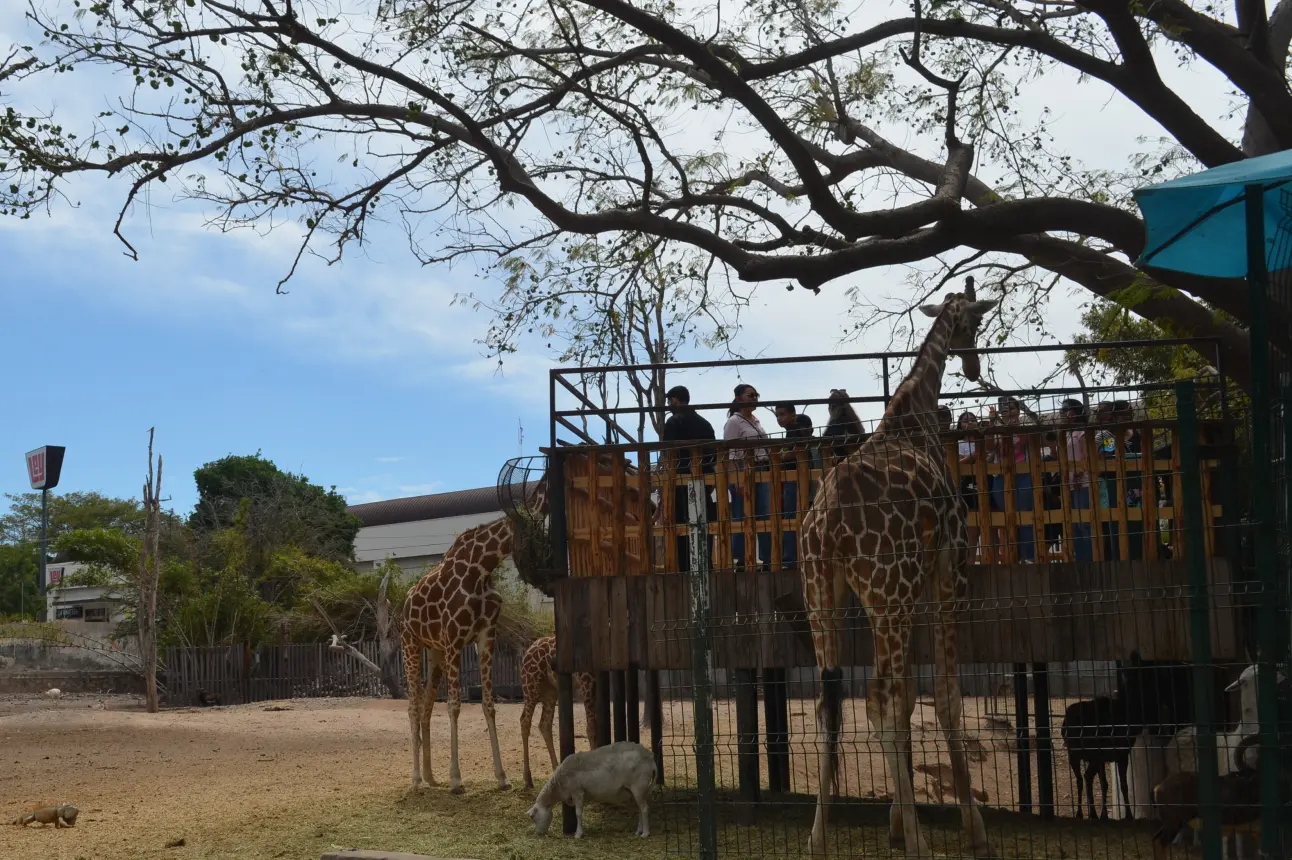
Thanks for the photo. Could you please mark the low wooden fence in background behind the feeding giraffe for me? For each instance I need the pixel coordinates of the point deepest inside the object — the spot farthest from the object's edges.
(241, 675)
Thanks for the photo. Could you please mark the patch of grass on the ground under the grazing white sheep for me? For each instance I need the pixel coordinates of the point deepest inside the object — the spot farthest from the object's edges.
(486, 824)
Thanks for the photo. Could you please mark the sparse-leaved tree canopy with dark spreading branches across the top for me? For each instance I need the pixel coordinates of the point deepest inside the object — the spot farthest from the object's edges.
(569, 143)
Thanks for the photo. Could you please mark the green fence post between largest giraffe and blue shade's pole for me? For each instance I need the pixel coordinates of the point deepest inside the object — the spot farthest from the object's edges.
(1200, 622)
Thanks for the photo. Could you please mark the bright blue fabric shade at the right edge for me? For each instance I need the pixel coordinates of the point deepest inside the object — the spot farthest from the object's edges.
(1198, 224)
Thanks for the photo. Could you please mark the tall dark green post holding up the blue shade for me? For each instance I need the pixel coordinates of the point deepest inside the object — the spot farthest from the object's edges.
(1264, 518)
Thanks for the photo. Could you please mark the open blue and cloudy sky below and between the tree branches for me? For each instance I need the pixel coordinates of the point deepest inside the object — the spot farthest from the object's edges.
(364, 376)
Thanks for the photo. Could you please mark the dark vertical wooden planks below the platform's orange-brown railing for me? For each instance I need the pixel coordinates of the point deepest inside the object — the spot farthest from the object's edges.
(1017, 614)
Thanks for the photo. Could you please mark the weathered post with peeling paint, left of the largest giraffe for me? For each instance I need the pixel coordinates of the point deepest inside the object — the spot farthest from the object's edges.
(702, 666)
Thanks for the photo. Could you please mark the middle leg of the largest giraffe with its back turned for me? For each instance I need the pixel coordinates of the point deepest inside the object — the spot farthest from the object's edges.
(887, 711)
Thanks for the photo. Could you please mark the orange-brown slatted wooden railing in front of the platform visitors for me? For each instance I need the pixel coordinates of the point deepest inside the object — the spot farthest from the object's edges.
(616, 531)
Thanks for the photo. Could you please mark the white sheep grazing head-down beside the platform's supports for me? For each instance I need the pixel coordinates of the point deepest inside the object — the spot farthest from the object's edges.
(614, 774)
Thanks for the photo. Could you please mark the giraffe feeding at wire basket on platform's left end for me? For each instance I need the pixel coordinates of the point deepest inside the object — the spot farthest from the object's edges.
(452, 606)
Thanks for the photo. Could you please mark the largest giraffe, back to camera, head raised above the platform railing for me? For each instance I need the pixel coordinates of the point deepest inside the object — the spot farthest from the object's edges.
(890, 525)
